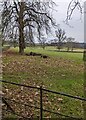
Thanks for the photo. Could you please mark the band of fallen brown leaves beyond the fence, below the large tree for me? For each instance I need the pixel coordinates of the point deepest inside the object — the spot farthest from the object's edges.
(38, 66)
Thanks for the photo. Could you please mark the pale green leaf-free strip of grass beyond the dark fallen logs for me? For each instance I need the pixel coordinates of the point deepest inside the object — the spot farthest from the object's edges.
(50, 51)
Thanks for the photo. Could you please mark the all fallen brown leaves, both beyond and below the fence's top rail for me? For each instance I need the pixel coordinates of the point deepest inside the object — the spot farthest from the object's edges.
(31, 70)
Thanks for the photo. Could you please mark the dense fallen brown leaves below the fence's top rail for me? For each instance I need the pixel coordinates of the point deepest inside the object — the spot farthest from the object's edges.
(23, 100)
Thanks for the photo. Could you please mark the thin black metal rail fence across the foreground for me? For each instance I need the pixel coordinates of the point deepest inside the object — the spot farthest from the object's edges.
(41, 101)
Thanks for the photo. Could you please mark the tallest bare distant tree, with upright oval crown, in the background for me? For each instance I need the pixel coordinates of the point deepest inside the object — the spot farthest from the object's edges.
(60, 34)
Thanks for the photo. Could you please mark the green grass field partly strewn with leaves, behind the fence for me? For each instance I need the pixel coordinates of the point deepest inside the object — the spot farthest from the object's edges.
(61, 71)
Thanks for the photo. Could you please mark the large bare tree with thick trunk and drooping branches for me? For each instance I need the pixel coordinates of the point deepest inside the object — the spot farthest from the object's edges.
(26, 17)
